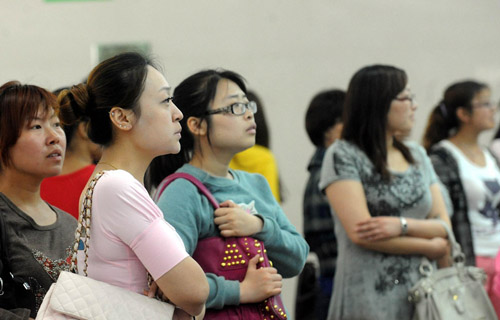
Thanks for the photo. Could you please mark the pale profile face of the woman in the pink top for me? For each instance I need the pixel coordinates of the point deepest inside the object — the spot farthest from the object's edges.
(158, 129)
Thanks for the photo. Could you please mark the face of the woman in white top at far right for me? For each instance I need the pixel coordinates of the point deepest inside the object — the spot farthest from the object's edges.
(483, 111)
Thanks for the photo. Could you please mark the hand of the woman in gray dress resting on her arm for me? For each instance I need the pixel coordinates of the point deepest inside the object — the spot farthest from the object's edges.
(378, 228)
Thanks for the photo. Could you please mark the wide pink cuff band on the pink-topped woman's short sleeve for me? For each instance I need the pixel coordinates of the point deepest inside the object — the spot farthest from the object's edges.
(159, 248)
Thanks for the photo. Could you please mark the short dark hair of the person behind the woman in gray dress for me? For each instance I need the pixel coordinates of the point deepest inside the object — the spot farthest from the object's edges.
(324, 111)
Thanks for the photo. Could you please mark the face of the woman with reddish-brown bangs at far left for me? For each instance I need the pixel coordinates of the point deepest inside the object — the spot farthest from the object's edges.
(39, 151)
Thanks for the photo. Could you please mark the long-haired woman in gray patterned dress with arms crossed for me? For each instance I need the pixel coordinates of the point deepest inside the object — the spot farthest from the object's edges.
(384, 196)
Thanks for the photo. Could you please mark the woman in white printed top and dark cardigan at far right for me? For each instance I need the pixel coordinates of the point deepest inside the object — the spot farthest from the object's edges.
(467, 169)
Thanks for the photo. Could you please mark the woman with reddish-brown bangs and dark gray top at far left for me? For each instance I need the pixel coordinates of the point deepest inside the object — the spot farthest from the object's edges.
(35, 237)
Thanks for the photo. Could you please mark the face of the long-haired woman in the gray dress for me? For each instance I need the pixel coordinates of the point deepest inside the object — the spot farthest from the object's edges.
(401, 116)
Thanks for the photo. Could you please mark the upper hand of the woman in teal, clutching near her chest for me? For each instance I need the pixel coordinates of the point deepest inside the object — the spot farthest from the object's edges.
(235, 222)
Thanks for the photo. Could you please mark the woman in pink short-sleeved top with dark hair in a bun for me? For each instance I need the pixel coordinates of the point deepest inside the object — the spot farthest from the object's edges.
(130, 113)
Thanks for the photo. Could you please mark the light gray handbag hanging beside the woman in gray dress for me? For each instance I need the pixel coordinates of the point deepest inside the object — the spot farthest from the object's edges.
(455, 293)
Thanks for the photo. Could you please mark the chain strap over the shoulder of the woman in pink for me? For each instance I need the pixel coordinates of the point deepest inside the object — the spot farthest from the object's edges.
(83, 228)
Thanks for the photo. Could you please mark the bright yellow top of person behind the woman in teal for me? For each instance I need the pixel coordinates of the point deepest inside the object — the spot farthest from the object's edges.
(259, 159)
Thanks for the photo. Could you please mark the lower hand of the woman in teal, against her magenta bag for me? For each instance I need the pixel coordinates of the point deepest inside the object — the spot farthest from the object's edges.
(259, 284)
